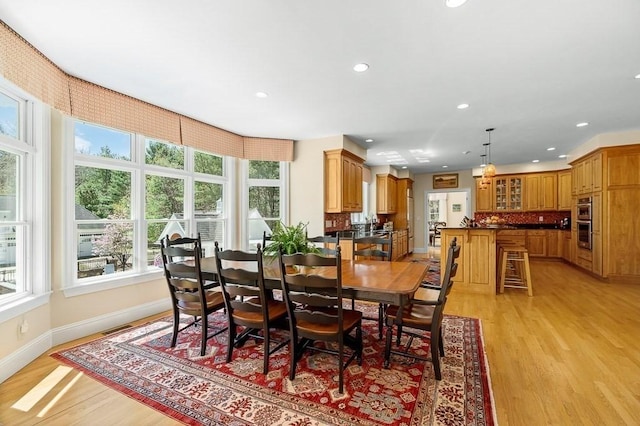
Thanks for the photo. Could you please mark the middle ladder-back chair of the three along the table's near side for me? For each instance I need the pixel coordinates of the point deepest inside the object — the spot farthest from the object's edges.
(247, 302)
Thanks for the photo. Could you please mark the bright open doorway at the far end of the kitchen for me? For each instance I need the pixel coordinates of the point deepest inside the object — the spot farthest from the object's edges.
(446, 208)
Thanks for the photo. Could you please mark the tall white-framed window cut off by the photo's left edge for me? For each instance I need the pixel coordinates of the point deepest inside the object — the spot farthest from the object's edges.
(24, 170)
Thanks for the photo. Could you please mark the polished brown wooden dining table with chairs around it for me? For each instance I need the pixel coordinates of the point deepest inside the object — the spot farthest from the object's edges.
(368, 280)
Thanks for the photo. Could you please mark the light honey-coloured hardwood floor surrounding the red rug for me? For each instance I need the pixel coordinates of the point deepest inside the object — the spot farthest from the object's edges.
(569, 355)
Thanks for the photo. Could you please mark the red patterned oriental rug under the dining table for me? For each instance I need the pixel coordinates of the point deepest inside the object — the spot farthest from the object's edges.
(206, 390)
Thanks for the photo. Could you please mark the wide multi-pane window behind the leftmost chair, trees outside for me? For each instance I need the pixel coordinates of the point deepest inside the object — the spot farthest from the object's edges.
(130, 192)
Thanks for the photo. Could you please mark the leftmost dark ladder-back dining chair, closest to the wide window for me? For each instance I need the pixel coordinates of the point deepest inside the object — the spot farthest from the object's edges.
(190, 293)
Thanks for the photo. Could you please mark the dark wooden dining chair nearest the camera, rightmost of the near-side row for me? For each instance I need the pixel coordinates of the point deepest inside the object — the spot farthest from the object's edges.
(314, 306)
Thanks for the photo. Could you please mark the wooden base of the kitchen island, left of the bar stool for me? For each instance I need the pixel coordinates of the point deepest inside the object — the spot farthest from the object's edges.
(477, 261)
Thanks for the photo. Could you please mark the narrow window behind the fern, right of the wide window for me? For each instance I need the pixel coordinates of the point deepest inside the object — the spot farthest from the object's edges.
(265, 198)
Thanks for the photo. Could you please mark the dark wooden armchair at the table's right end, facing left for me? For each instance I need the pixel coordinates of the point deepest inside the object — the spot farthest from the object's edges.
(420, 316)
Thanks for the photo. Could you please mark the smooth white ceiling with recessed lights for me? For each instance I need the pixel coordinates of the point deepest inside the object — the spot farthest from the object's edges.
(532, 69)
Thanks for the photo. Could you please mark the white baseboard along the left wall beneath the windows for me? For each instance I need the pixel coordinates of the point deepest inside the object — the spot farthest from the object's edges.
(17, 360)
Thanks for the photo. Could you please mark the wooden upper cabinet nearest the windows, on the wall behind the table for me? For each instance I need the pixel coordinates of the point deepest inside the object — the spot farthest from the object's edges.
(342, 181)
